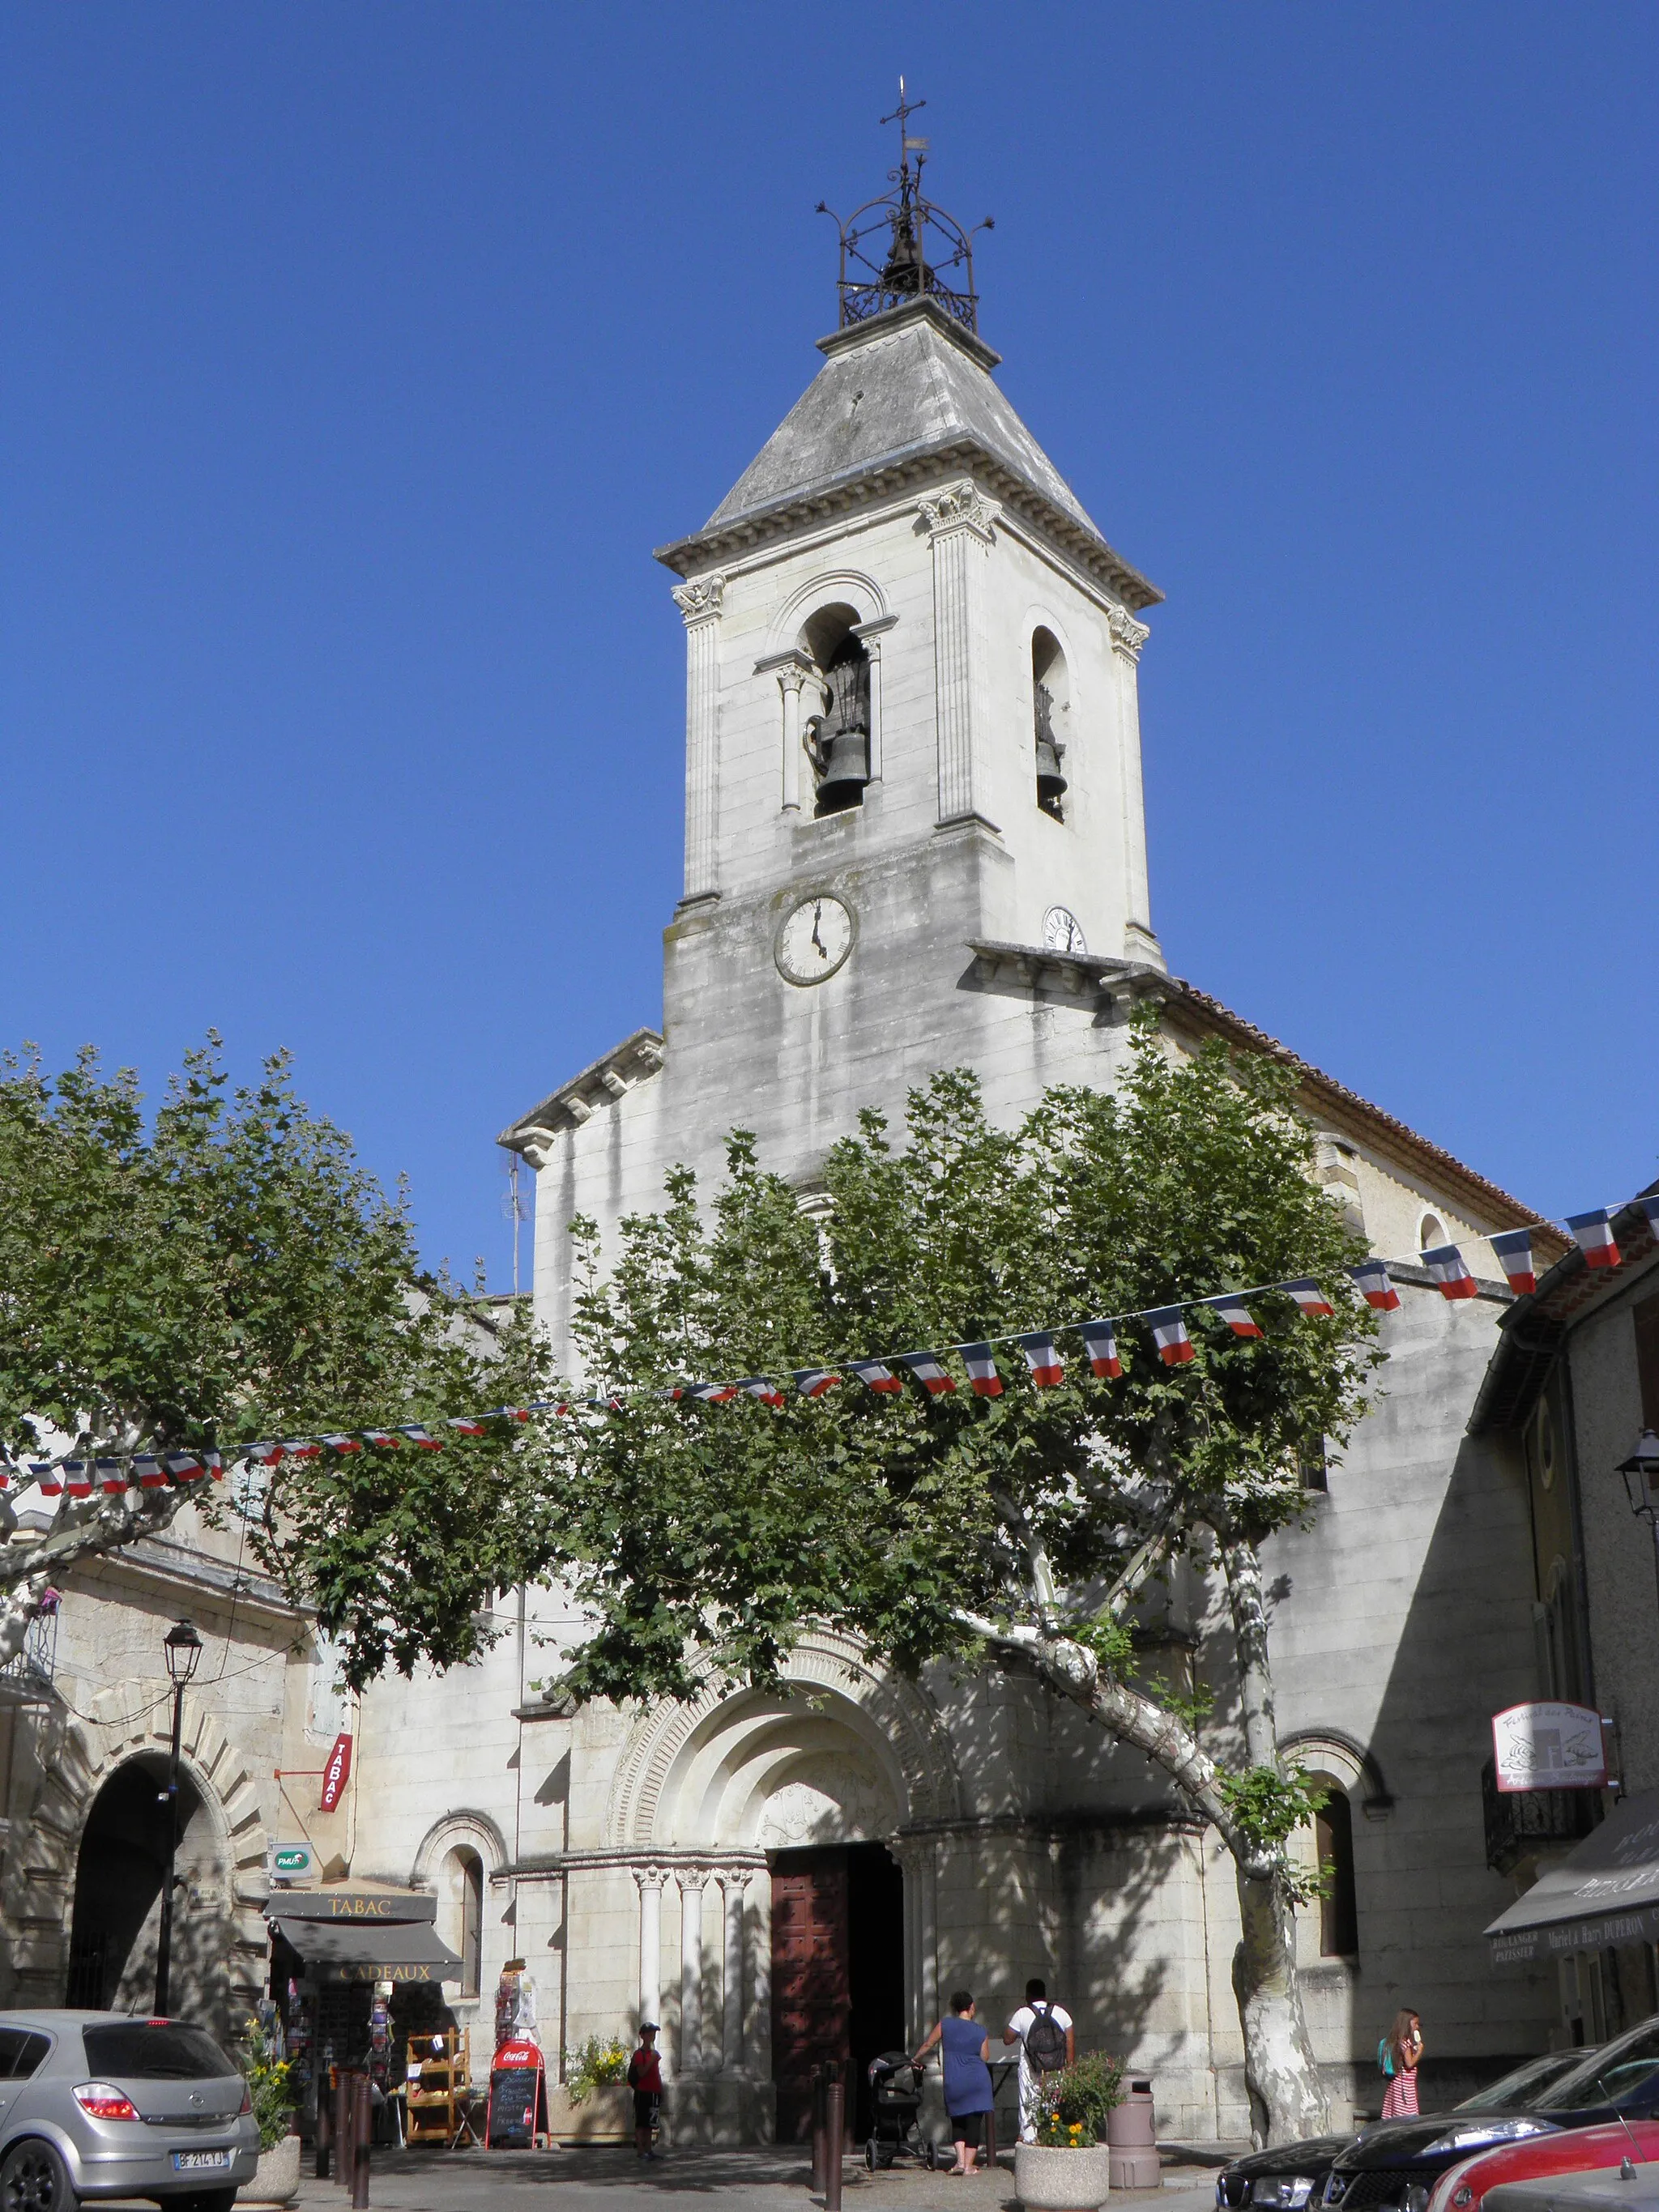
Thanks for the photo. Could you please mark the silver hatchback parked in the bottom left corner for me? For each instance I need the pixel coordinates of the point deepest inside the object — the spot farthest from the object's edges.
(107, 2105)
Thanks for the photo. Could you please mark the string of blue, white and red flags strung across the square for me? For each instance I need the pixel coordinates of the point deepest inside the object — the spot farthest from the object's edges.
(1167, 1324)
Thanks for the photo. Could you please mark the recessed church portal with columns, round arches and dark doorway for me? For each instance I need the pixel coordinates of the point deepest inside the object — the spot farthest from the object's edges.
(806, 1797)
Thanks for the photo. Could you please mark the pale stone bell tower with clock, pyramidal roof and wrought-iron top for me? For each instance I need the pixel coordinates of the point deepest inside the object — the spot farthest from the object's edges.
(912, 722)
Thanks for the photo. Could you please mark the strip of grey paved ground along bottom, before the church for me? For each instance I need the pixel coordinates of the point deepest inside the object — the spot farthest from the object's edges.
(762, 2180)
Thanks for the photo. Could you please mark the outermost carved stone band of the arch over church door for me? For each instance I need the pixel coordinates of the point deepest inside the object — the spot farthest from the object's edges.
(826, 1662)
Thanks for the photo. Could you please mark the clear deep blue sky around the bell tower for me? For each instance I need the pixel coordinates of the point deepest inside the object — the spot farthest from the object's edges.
(357, 357)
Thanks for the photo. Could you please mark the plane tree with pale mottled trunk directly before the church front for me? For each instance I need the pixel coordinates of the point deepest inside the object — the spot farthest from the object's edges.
(1023, 1530)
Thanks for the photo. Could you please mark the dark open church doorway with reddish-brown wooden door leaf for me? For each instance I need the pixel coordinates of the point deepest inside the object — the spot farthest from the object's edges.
(837, 1974)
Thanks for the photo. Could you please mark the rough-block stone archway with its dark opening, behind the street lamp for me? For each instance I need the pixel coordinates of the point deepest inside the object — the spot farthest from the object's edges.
(220, 1930)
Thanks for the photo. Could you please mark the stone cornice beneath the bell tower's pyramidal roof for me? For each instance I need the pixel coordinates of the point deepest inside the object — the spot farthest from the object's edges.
(912, 472)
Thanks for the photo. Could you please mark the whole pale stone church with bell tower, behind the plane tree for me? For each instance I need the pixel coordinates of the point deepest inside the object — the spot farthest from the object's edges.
(915, 839)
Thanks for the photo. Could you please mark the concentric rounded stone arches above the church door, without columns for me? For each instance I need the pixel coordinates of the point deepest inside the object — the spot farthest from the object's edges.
(700, 1775)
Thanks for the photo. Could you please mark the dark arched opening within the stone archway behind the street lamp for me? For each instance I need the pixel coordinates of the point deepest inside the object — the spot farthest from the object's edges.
(118, 1899)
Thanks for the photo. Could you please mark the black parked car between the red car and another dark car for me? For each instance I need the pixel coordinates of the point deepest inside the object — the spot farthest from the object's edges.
(1397, 2164)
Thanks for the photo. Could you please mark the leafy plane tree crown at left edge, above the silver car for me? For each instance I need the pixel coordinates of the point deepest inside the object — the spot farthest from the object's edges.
(225, 1273)
